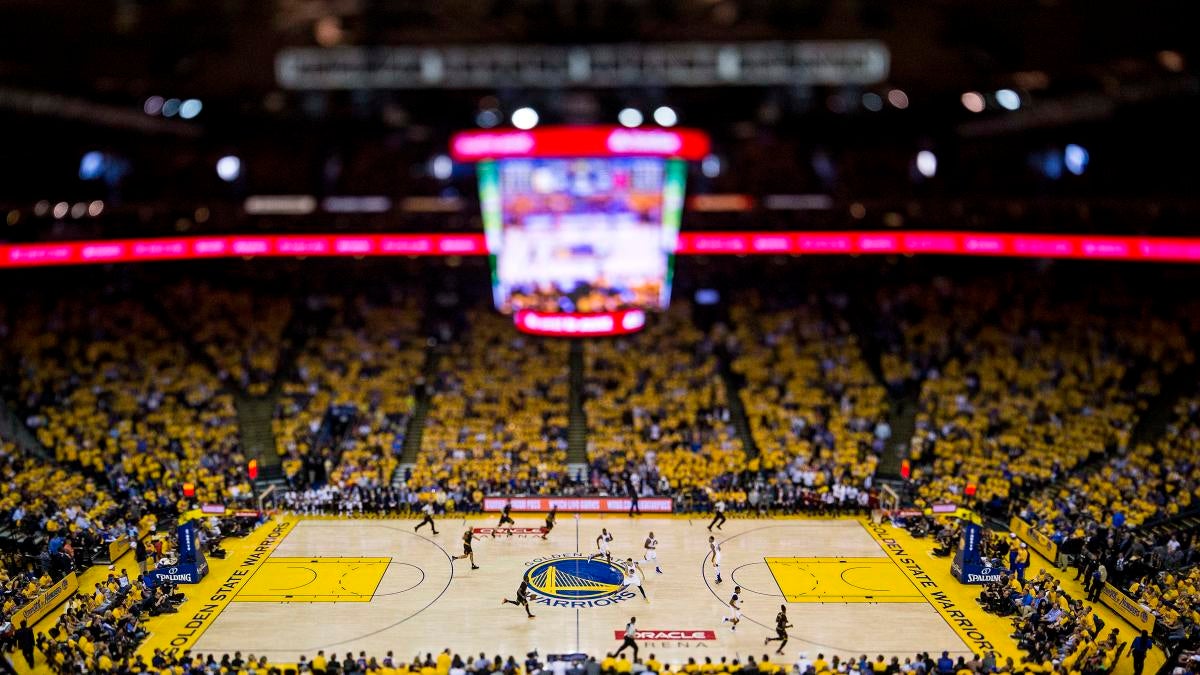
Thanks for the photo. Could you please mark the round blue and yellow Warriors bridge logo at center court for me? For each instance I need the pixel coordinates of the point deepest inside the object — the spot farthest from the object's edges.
(572, 581)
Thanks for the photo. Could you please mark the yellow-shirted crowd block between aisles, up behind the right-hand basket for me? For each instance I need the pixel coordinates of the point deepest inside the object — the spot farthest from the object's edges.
(1018, 387)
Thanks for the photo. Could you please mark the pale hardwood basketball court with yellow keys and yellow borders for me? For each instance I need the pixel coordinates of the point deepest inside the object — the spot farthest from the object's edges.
(301, 584)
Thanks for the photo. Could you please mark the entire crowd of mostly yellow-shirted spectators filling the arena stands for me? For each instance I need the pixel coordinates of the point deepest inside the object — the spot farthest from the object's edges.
(1015, 392)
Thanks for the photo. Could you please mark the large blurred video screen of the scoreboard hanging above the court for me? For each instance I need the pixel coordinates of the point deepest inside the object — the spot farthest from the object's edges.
(581, 235)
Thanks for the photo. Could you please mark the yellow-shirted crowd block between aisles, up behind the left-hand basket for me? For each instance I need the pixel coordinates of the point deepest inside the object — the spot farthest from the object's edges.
(110, 392)
